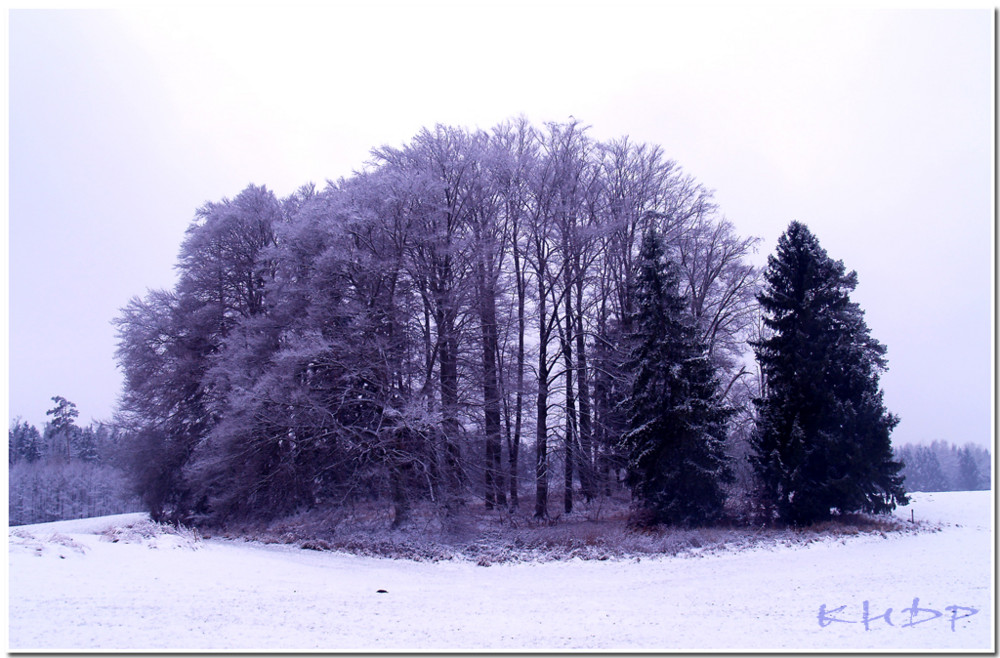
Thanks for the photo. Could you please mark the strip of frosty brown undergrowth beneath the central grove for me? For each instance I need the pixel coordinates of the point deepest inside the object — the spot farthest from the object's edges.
(597, 531)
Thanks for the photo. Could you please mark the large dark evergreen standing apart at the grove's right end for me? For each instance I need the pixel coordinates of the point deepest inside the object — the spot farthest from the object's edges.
(822, 435)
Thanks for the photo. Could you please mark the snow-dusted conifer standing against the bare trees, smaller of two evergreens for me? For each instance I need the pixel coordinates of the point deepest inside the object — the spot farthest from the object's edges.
(675, 420)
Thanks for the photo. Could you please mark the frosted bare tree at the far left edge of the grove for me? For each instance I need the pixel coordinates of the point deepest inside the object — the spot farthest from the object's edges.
(170, 340)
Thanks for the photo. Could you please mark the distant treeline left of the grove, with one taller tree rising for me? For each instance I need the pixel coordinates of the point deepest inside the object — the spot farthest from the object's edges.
(65, 471)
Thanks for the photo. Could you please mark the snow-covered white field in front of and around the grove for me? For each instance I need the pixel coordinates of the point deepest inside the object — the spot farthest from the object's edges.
(72, 588)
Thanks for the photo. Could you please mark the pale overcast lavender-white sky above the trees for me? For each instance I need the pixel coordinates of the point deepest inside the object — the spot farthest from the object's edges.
(875, 128)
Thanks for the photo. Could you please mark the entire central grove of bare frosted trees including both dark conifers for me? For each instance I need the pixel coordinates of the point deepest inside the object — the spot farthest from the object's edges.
(495, 315)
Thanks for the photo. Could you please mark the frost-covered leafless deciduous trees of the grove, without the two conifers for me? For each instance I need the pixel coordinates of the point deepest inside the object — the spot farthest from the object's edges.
(399, 335)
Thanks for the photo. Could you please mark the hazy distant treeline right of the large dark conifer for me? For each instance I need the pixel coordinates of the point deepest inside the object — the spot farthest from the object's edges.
(944, 466)
